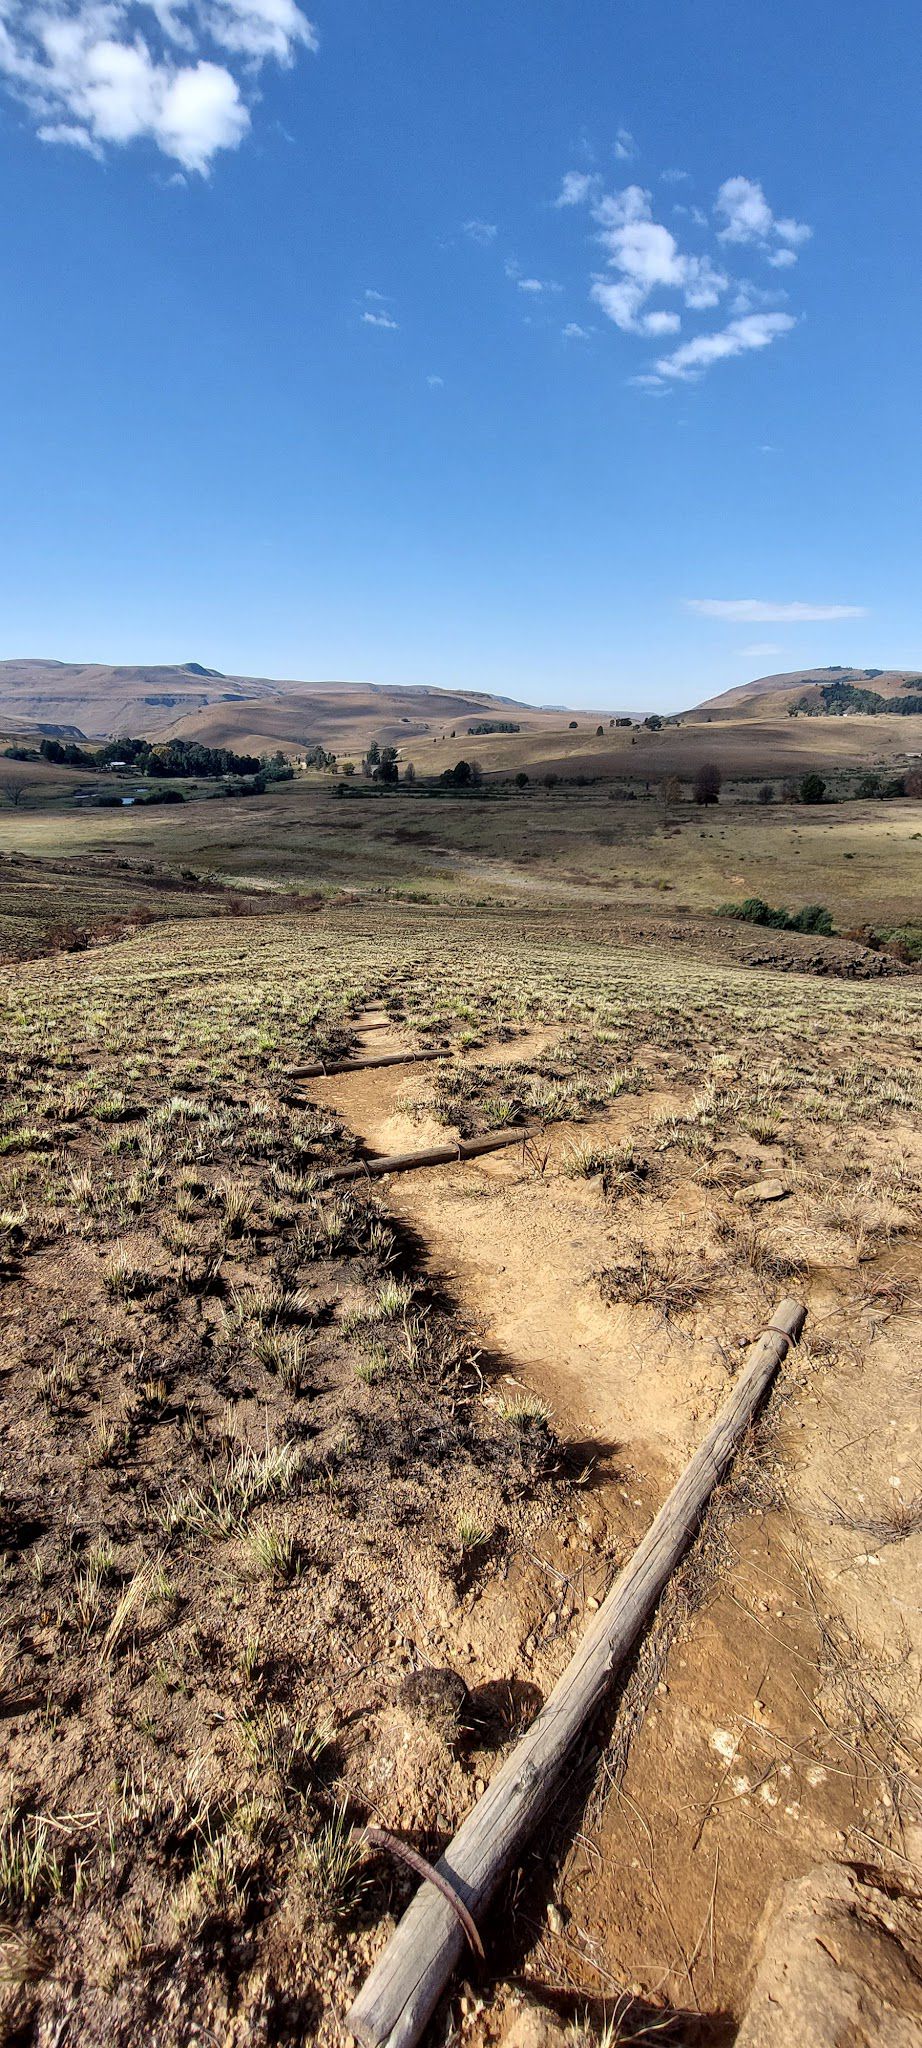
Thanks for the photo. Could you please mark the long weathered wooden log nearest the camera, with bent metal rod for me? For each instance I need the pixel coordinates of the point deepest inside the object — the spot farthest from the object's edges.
(407, 1983)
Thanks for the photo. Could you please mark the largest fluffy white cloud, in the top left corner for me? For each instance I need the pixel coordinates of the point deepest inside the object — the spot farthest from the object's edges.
(110, 73)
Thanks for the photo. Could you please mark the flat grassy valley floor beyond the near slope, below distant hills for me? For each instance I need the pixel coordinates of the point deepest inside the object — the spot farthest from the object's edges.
(585, 849)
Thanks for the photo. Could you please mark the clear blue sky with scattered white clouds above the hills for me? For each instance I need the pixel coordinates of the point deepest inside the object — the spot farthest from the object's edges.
(544, 349)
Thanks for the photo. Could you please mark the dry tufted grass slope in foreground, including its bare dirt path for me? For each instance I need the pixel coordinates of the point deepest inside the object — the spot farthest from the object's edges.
(278, 1453)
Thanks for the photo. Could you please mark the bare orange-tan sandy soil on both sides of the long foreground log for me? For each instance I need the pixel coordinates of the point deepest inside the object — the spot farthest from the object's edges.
(773, 1732)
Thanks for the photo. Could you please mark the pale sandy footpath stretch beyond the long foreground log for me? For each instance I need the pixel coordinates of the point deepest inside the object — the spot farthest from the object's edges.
(519, 1252)
